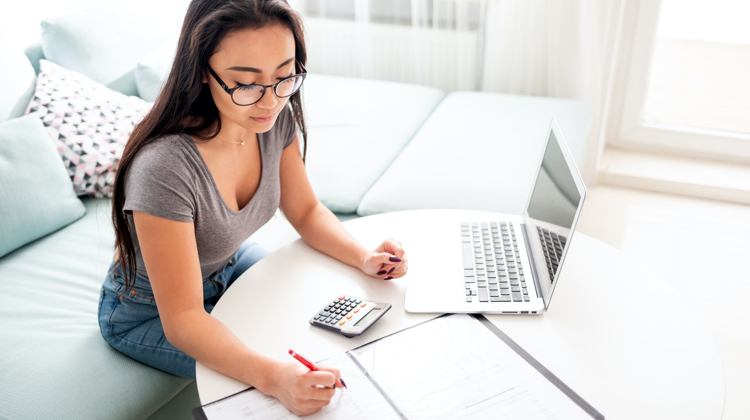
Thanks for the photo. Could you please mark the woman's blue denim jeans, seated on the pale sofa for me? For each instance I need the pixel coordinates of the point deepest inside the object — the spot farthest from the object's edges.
(131, 324)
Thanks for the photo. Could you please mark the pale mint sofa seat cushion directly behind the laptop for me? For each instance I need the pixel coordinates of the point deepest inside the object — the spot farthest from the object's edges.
(477, 151)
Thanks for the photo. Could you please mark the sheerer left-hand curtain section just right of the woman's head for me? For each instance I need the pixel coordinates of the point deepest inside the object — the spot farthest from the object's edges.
(430, 42)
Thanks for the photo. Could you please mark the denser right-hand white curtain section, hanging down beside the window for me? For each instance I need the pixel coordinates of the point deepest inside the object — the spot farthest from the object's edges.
(554, 48)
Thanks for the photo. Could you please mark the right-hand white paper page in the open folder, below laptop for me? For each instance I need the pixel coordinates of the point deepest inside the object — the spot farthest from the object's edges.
(455, 368)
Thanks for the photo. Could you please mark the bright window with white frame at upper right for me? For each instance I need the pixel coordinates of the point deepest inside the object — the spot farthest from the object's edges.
(688, 89)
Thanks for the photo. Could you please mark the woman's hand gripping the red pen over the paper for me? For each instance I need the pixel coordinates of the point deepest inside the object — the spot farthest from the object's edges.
(301, 390)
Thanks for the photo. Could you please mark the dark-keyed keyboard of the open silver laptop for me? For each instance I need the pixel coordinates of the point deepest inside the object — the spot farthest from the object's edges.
(492, 264)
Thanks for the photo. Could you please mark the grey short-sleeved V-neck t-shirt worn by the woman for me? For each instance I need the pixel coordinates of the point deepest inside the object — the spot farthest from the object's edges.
(168, 178)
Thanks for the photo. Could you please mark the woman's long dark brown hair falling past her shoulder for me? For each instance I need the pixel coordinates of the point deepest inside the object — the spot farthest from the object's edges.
(185, 105)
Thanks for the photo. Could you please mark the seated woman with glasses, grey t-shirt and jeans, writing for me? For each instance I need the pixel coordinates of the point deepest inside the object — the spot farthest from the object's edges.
(210, 164)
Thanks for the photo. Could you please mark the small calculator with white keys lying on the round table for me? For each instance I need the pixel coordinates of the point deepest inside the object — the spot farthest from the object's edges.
(349, 316)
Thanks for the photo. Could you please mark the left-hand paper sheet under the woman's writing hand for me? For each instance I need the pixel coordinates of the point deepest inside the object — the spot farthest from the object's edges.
(361, 401)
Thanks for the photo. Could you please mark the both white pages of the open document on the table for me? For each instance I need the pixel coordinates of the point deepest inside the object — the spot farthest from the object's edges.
(452, 367)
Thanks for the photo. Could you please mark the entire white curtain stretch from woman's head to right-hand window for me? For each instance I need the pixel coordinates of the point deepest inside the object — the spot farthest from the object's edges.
(557, 48)
